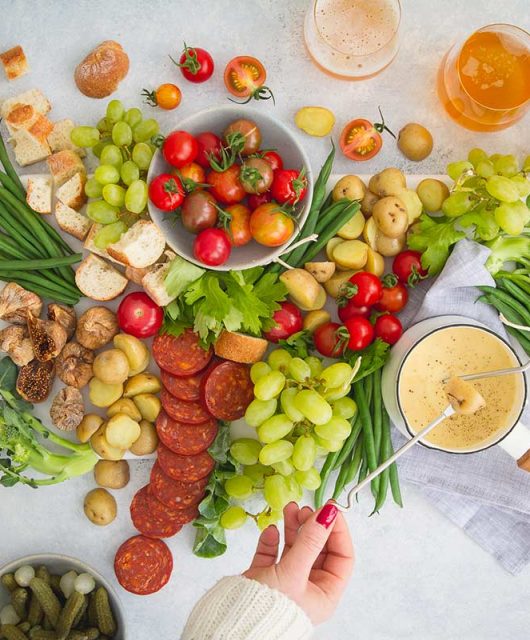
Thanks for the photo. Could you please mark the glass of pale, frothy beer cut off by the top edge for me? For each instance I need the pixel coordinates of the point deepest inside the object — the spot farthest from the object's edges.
(352, 39)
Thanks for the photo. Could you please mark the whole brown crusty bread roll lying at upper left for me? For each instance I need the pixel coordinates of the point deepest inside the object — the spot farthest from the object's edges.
(100, 73)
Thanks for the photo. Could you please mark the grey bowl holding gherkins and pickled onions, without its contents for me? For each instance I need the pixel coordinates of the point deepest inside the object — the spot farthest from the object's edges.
(59, 564)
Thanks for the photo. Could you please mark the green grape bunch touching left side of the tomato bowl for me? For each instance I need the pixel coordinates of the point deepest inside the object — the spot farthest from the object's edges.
(118, 192)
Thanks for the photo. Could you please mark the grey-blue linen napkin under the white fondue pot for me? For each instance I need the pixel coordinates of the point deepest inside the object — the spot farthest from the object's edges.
(486, 494)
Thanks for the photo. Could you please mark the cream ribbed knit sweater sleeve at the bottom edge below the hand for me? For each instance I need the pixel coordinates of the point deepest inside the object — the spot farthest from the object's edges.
(237, 608)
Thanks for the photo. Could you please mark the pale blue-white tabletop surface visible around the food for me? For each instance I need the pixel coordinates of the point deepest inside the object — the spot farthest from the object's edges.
(418, 576)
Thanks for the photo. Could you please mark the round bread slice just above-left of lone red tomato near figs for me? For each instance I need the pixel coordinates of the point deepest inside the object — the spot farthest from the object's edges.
(99, 280)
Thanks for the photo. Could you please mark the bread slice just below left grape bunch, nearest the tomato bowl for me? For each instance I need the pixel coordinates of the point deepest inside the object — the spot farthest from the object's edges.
(140, 246)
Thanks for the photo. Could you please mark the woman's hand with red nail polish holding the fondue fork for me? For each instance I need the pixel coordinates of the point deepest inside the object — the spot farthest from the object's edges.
(316, 561)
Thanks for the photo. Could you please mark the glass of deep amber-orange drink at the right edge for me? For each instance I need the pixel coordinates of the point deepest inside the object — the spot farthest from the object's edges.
(484, 82)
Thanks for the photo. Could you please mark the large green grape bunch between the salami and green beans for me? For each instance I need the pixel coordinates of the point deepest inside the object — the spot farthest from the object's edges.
(301, 411)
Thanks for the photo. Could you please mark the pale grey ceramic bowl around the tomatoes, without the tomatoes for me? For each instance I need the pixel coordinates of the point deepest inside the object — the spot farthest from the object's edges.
(275, 135)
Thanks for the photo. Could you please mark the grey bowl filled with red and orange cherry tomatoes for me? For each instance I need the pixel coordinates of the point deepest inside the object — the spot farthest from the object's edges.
(230, 188)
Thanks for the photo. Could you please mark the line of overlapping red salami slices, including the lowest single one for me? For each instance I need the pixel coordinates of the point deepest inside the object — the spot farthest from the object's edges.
(198, 390)
